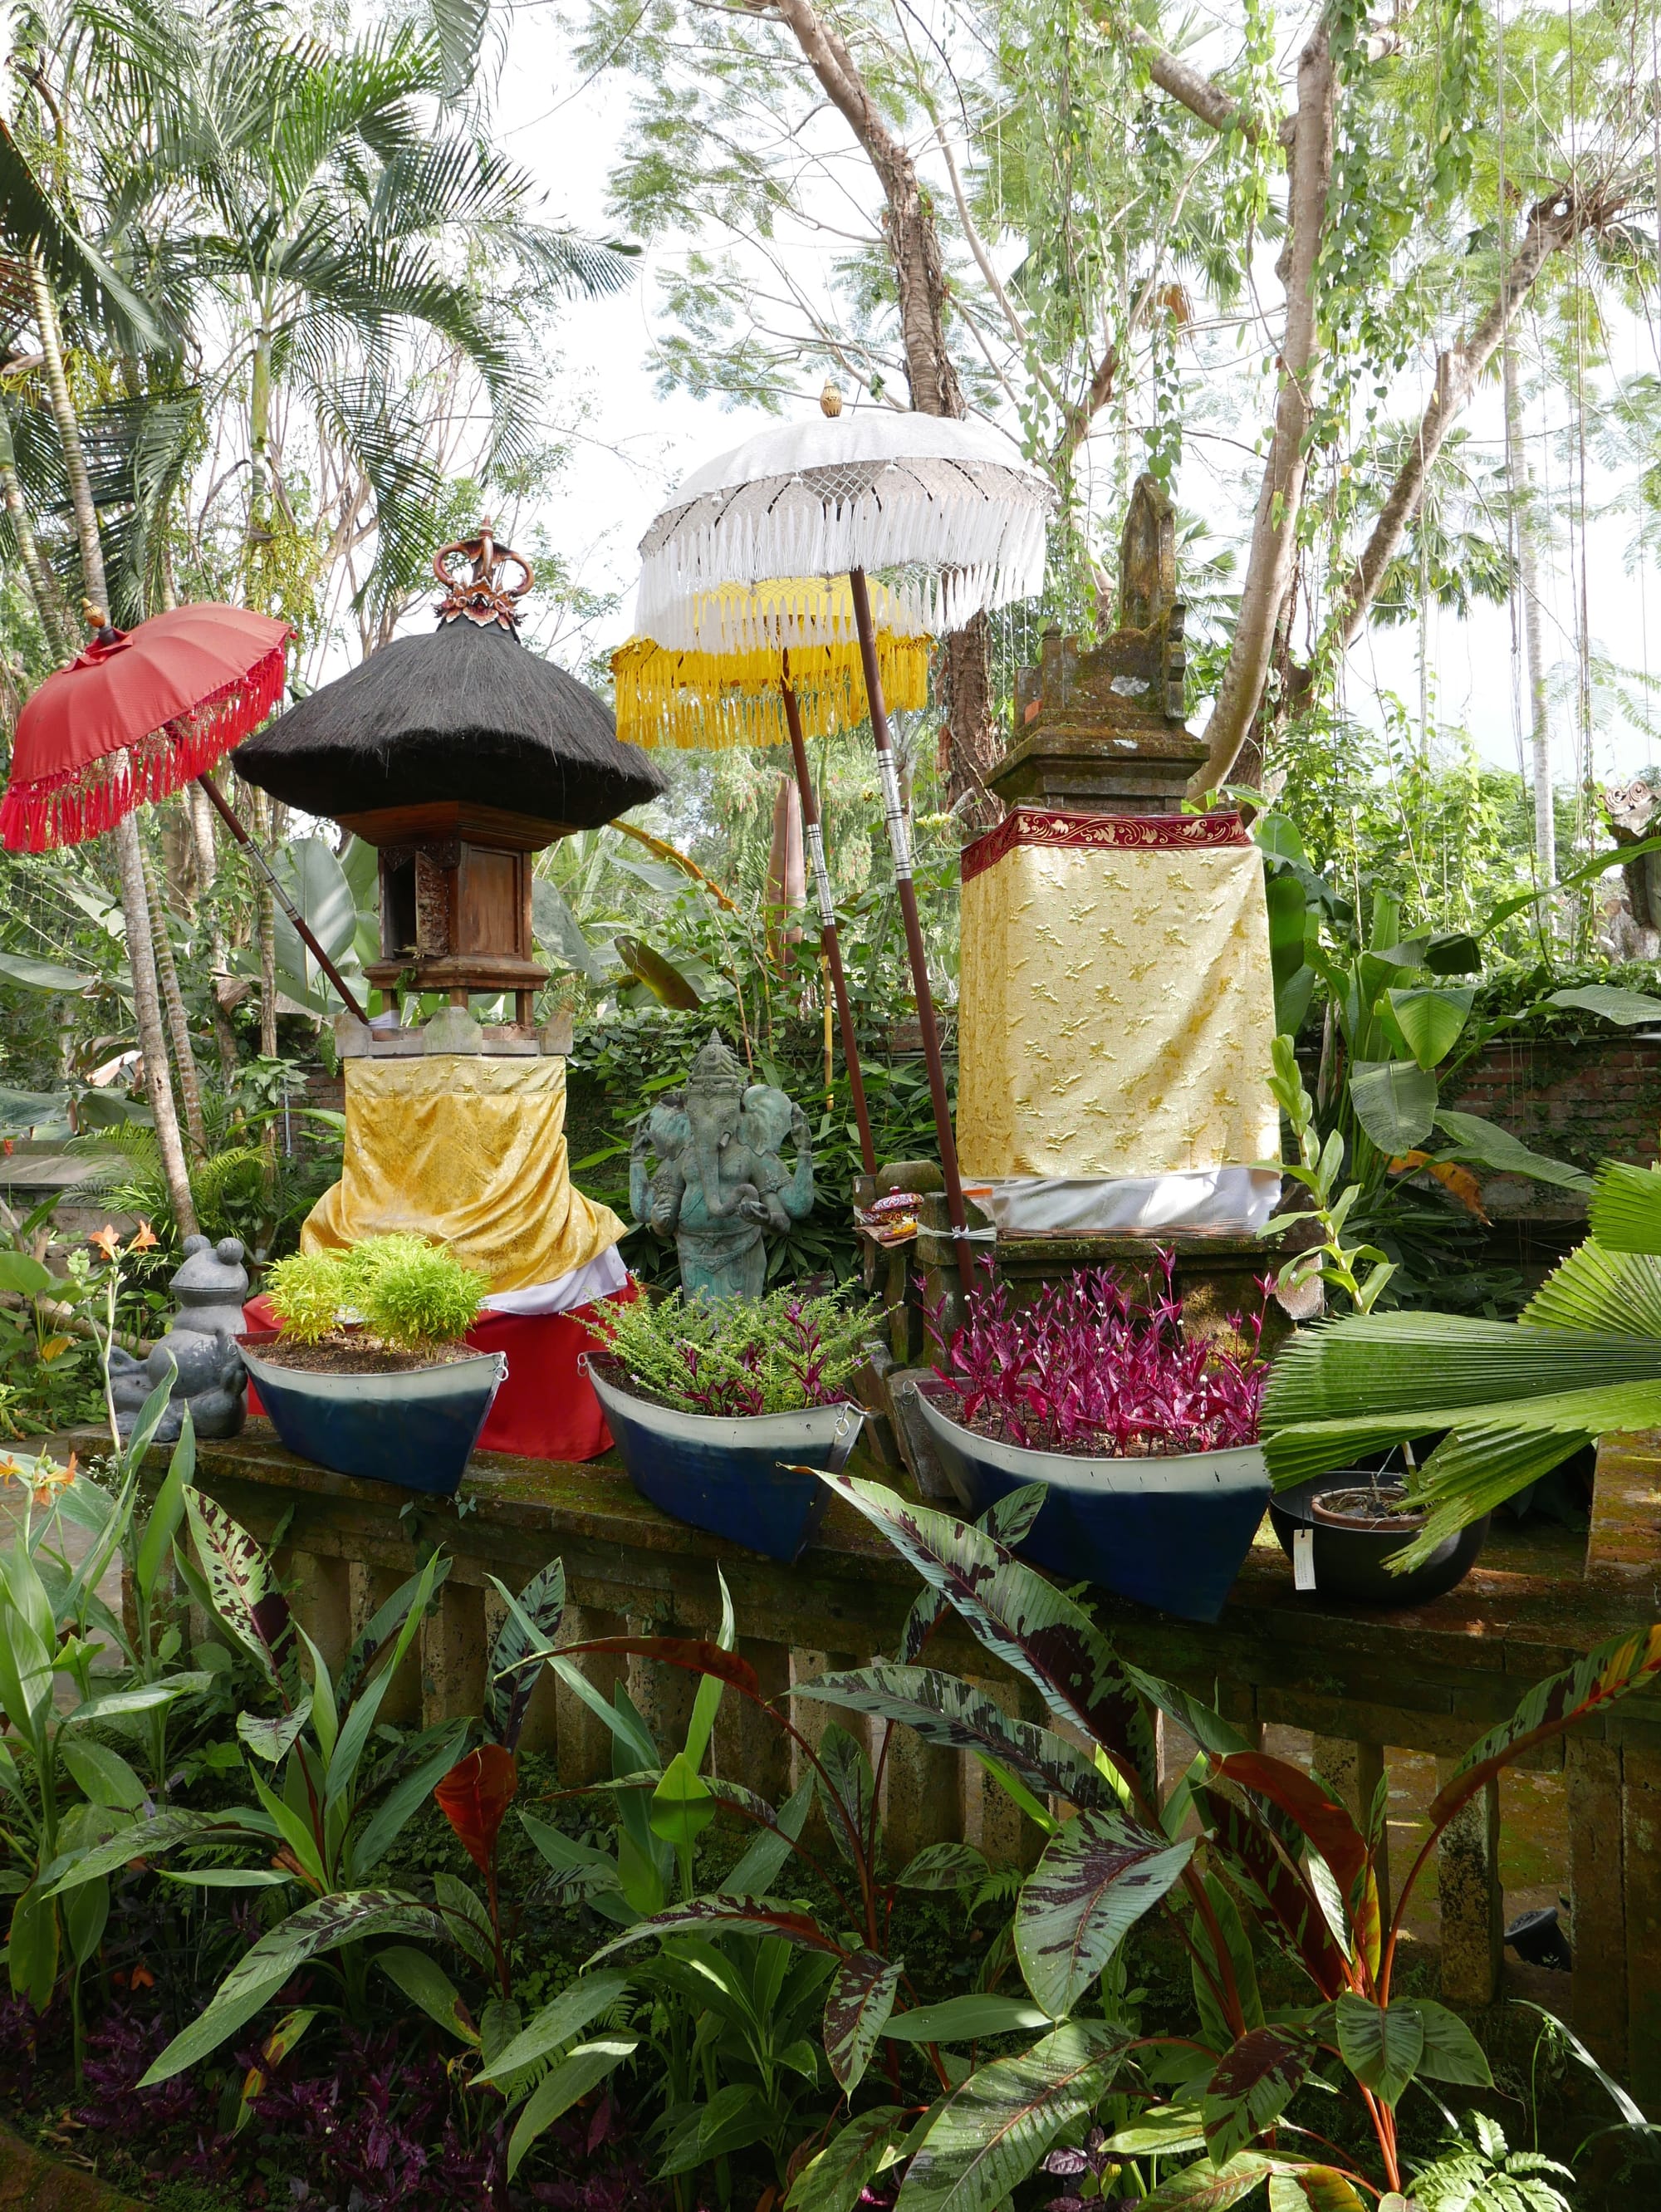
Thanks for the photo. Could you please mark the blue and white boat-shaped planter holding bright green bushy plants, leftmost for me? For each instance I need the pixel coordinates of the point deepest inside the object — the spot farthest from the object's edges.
(415, 1430)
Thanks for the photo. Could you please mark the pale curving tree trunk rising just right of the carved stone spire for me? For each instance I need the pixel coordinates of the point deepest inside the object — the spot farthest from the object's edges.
(1275, 528)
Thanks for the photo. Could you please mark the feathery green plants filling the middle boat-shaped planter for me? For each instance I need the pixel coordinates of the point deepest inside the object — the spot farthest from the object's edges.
(740, 1355)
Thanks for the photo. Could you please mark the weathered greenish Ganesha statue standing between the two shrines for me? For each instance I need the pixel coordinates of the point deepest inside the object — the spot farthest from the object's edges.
(707, 1171)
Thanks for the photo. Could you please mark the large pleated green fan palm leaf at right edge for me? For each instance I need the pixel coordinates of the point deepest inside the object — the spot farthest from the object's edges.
(1507, 1399)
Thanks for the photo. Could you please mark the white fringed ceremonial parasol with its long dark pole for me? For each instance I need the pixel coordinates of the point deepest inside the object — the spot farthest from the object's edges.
(946, 512)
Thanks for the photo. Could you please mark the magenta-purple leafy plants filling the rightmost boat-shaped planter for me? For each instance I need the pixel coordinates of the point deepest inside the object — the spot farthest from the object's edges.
(1094, 1368)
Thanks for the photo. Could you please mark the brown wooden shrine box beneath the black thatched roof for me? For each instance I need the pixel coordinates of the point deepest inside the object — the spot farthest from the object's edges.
(457, 899)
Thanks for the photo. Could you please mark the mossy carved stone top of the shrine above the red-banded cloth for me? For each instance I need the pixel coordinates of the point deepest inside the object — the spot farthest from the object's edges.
(1100, 727)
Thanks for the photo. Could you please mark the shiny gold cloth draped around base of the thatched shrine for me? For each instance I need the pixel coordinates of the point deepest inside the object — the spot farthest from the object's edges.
(472, 1154)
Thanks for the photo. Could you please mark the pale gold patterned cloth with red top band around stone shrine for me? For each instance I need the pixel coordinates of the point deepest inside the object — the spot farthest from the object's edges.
(1116, 1005)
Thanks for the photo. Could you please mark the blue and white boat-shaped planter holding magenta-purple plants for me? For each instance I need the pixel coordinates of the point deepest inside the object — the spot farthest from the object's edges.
(1169, 1534)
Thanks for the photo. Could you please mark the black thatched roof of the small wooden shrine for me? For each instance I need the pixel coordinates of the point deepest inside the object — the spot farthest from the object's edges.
(468, 713)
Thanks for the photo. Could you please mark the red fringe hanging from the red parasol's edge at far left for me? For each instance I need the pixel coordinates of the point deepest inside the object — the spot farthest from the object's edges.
(79, 804)
